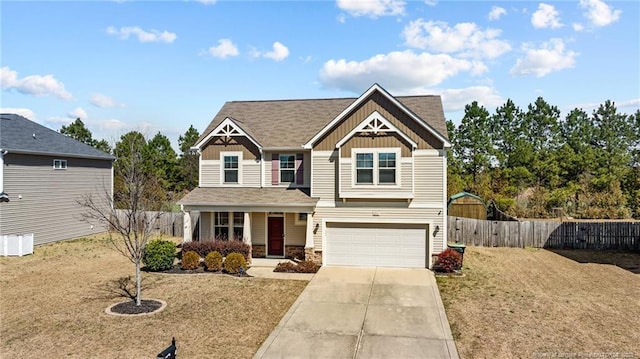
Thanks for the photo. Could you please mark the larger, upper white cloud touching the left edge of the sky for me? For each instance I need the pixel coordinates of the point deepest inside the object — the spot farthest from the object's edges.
(36, 85)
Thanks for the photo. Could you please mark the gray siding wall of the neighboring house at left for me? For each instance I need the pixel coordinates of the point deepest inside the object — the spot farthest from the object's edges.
(48, 205)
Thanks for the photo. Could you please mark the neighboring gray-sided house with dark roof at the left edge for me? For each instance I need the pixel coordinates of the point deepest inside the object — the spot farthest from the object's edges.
(42, 174)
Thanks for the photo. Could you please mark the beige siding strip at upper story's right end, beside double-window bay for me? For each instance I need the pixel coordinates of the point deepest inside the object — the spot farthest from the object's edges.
(428, 179)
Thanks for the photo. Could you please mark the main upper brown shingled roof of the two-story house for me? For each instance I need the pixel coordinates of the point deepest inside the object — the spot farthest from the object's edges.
(291, 123)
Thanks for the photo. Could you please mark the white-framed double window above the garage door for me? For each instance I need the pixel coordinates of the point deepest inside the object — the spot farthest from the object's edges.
(373, 167)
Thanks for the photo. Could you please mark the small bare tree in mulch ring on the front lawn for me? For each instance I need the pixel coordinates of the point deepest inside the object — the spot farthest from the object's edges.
(129, 229)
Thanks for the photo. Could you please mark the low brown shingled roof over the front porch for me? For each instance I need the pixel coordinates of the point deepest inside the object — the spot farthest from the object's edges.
(243, 196)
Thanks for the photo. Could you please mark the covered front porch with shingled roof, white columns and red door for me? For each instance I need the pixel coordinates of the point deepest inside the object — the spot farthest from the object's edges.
(276, 222)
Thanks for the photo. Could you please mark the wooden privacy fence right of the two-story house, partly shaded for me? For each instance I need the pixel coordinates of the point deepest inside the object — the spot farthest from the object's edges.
(583, 235)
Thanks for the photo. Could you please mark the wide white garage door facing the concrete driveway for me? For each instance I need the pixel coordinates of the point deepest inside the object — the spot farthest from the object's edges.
(376, 245)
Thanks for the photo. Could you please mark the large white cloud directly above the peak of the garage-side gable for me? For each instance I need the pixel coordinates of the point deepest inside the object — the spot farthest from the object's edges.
(396, 71)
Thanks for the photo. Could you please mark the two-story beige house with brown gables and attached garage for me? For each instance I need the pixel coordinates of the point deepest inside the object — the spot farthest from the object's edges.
(348, 181)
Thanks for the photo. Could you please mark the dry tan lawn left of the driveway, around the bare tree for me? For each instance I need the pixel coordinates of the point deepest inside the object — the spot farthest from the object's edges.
(52, 304)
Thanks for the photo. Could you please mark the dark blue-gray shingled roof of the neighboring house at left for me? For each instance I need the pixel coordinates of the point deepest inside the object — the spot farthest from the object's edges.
(20, 135)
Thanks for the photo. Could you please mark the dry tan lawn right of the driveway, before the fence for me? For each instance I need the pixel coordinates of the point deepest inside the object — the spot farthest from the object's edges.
(534, 303)
